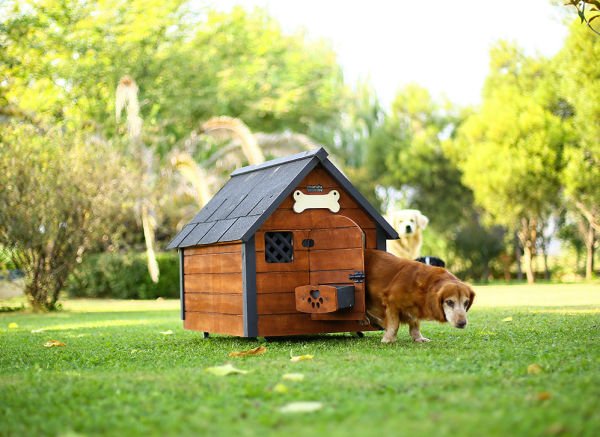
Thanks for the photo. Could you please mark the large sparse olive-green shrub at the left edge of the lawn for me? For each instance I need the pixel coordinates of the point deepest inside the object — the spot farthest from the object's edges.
(60, 197)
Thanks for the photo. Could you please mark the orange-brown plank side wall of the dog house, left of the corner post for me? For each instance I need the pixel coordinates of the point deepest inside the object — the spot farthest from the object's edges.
(213, 289)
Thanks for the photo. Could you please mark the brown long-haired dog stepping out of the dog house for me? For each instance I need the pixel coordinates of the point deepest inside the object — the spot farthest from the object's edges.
(404, 291)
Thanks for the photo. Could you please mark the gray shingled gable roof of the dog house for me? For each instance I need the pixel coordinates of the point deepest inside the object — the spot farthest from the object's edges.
(238, 210)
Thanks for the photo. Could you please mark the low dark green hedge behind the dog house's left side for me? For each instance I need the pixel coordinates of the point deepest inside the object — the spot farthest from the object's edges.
(124, 276)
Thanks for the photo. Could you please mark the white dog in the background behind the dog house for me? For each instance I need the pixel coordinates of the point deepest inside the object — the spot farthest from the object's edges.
(409, 223)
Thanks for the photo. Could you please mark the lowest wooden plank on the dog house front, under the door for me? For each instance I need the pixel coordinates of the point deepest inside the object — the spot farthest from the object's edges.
(298, 324)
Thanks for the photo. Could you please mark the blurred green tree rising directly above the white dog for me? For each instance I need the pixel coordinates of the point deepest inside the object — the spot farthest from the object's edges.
(406, 153)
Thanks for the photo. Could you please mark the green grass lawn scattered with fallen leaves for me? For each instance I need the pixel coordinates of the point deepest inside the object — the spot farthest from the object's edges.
(119, 375)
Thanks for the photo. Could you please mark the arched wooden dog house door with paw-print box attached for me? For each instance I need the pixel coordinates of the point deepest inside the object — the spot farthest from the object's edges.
(336, 271)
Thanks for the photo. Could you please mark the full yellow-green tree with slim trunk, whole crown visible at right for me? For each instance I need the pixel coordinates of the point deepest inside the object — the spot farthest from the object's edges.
(511, 150)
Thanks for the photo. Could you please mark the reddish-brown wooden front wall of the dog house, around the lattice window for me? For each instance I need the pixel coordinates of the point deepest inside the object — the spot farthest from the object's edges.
(276, 282)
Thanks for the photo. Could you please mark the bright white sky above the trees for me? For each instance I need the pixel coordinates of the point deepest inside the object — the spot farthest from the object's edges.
(442, 45)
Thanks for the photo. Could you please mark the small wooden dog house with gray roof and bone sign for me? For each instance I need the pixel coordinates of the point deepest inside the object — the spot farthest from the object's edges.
(279, 250)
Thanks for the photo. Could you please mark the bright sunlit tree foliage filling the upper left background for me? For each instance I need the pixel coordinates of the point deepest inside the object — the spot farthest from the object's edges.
(62, 60)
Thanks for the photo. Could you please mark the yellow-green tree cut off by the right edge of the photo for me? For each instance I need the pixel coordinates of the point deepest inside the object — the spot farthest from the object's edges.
(580, 87)
